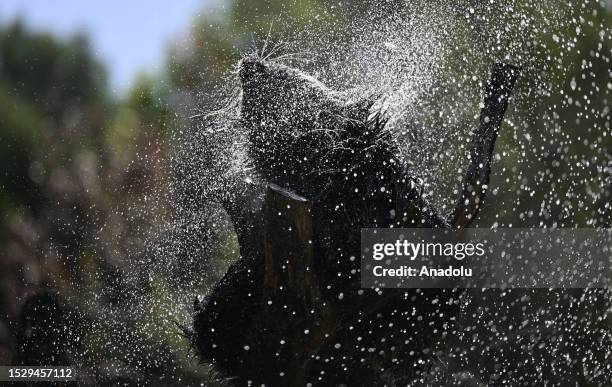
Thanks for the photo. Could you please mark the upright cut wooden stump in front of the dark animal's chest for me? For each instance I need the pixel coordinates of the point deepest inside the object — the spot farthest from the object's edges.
(294, 322)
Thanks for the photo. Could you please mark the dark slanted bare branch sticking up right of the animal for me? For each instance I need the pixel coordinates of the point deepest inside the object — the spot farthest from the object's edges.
(476, 178)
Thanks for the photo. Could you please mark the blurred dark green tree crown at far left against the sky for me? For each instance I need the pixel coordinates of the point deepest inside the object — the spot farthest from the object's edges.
(46, 87)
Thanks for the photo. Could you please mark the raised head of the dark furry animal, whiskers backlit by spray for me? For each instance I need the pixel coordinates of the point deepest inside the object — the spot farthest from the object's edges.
(299, 129)
